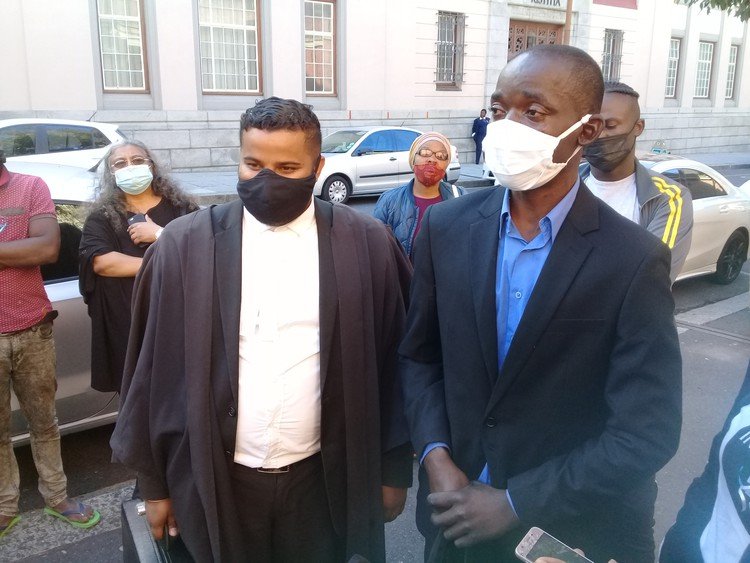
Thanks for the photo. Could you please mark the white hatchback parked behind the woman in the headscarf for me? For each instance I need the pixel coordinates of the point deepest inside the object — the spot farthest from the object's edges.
(369, 160)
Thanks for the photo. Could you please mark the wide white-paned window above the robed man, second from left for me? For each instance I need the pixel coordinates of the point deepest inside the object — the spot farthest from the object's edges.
(229, 46)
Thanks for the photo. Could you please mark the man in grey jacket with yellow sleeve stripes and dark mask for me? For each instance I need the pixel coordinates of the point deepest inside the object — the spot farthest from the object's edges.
(613, 174)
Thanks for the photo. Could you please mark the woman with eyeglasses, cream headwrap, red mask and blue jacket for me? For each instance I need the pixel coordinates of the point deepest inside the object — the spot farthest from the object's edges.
(403, 208)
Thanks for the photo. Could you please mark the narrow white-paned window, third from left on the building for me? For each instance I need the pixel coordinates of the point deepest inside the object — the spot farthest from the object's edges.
(319, 48)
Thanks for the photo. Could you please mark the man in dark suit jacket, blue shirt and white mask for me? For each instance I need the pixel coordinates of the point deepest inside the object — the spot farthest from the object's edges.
(541, 367)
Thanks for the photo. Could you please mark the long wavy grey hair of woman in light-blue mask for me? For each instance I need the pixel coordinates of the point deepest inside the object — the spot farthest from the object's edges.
(110, 199)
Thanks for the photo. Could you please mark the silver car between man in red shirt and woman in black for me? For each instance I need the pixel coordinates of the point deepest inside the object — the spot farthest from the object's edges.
(78, 406)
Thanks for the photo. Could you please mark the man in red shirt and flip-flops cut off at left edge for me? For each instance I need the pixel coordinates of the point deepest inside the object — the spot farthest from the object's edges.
(30, 237)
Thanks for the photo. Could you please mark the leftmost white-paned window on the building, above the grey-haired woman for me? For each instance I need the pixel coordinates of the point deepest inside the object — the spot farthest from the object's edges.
(121, 44)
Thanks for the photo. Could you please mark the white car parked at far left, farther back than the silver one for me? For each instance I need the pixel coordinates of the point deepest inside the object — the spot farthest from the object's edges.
(57, 141)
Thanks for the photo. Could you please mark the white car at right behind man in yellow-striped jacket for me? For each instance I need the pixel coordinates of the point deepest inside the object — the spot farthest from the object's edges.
(721, 217)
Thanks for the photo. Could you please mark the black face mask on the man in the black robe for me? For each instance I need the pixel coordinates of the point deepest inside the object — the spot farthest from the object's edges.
(276, 200)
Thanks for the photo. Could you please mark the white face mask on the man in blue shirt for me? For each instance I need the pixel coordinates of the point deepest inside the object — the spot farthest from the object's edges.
(521, 157)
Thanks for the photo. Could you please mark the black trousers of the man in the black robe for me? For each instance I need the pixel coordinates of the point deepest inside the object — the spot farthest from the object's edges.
(285, 517)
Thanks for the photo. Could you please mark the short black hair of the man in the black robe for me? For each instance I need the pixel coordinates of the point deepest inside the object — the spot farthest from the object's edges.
(273, 114)
